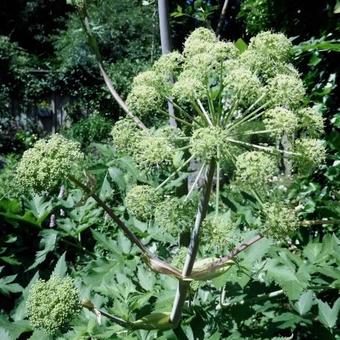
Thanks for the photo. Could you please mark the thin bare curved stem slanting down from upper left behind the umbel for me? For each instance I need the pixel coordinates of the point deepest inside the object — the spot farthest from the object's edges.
(84, 18)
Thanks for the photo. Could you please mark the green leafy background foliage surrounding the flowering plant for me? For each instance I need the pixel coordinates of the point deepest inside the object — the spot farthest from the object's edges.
(274, 291)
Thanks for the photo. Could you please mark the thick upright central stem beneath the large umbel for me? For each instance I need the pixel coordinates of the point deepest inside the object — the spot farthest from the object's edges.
(183, 286)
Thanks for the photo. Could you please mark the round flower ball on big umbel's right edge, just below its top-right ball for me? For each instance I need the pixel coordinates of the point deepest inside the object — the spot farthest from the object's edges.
(286, 90)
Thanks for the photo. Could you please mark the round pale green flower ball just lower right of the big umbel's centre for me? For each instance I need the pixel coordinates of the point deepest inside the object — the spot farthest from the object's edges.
(255, 170)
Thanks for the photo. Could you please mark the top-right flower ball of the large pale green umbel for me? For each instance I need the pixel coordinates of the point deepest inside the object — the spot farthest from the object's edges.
(275, 45)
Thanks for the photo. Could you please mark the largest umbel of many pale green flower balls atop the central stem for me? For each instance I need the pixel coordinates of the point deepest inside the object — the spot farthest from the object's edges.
(246, 109)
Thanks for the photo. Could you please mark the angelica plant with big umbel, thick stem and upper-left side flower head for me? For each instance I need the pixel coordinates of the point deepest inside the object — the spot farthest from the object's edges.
(244, 115)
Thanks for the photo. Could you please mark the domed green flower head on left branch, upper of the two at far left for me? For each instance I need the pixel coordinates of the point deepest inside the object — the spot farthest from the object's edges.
(48, 163)
